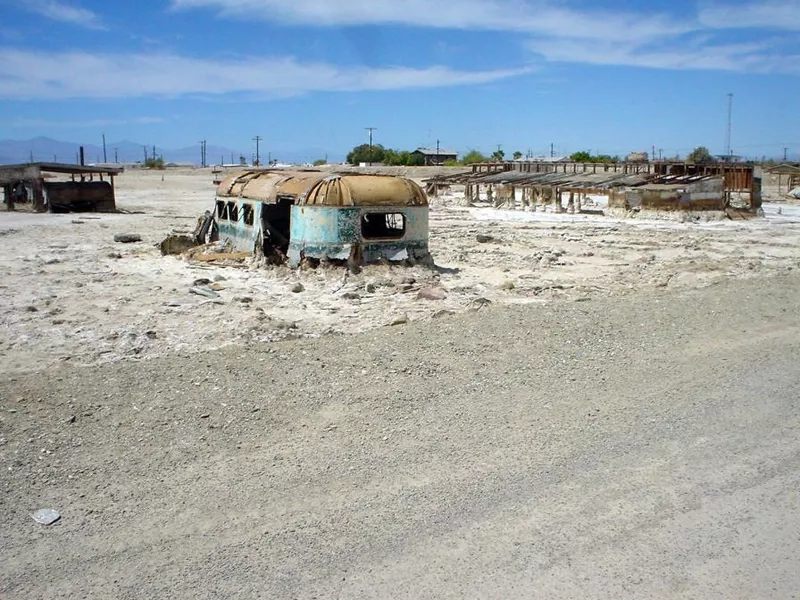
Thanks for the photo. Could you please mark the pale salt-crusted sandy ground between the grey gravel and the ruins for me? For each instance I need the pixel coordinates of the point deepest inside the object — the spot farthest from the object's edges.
(70, 293)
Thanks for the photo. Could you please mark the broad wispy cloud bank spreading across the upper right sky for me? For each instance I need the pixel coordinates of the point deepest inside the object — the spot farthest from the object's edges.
(559, 32)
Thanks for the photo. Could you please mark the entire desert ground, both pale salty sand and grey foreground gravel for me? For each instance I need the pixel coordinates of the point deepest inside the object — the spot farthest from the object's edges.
(598, 407)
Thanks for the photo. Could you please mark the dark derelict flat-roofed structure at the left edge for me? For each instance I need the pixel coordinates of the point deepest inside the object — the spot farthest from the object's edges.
(87, 190)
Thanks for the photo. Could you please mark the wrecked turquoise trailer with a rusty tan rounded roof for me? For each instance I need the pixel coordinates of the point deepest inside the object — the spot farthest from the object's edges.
(318, 216)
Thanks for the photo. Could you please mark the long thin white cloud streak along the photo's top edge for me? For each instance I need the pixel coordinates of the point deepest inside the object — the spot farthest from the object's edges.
(524, 16)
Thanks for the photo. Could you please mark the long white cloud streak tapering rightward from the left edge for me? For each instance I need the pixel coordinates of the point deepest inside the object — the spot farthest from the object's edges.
(25, 74)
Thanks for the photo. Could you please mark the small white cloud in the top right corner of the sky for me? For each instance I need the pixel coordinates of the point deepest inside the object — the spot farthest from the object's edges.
(770, 14)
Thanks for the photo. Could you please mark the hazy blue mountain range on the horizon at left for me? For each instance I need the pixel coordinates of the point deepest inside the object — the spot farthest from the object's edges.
(42, 149)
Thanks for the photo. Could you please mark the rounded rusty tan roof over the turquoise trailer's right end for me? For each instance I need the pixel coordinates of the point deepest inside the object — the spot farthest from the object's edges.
(365, 190)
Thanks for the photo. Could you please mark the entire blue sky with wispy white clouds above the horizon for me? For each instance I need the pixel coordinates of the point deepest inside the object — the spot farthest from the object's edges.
(308, 76)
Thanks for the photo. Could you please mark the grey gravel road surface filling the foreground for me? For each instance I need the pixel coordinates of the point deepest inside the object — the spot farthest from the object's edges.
(637, 445)
